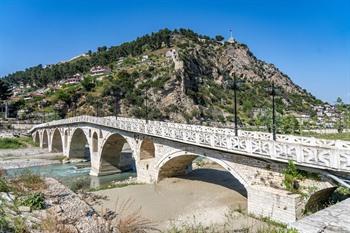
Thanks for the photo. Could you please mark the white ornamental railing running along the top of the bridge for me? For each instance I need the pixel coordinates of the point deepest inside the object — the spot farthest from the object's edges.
(306, 151)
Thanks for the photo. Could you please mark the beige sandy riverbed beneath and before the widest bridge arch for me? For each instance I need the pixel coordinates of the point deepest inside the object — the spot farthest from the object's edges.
(204, 196)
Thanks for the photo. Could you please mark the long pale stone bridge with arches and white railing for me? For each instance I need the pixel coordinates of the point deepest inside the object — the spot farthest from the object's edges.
(163, 149)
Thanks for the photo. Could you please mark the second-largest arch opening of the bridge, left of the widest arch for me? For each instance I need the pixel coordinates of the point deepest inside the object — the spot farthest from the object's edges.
(116, 155)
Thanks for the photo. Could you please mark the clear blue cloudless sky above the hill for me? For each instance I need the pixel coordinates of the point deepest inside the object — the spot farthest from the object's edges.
(307, 39)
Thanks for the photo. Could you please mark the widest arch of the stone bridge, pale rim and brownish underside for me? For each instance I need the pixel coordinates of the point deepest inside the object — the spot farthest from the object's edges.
(180, 163)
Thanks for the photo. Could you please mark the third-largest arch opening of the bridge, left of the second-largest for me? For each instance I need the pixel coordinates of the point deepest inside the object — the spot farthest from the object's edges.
(79, 145)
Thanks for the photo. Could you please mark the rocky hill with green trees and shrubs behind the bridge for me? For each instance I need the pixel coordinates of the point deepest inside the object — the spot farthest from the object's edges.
(181, 75)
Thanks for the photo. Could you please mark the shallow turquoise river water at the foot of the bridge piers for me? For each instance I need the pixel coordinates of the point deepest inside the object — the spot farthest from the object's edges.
(72, 175)
